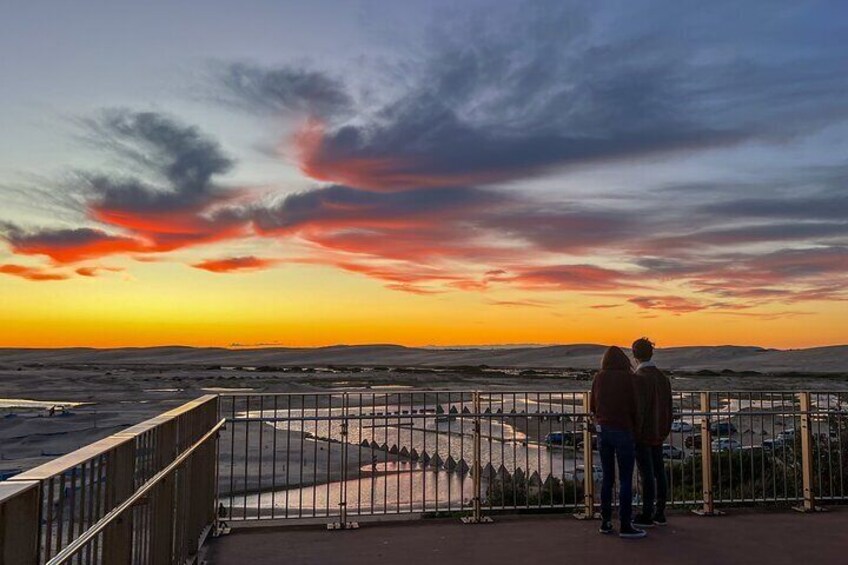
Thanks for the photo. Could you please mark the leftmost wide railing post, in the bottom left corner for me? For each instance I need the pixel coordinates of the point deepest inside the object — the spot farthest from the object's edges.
(19, 522)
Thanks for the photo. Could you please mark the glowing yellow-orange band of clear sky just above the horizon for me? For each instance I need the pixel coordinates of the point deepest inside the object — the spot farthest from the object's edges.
(207, 309)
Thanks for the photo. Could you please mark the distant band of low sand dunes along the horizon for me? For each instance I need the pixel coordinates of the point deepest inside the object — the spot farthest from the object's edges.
(736, 358)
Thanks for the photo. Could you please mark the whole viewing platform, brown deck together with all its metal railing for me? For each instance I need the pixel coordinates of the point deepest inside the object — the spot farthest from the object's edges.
(262, 477)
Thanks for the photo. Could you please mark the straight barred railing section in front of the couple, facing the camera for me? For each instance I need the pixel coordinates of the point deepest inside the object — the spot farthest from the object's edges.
(340, 455)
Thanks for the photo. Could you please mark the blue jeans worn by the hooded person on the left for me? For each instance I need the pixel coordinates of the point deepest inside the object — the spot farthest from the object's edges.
(617, 445)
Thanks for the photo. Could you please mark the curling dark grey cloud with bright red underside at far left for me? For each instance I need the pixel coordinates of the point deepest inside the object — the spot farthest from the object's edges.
(172, 202)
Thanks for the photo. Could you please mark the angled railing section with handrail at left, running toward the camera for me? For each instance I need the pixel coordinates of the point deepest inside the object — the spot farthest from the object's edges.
(144, 495)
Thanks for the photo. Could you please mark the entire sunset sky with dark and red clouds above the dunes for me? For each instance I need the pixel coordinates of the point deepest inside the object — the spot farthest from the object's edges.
(311, 173)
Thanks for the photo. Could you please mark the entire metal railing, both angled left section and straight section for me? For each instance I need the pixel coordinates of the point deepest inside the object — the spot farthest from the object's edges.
(152, 493)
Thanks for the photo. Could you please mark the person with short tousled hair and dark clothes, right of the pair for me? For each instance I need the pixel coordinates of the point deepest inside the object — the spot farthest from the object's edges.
(653, 393)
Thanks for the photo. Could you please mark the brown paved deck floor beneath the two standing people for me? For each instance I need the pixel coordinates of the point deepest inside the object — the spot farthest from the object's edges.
(740, 537)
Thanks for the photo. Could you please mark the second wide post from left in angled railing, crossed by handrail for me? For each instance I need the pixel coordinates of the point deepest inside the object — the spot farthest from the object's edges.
(120, 484)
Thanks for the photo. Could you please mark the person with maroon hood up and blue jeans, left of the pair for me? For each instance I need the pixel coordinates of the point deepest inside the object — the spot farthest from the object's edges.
(613, 404)
